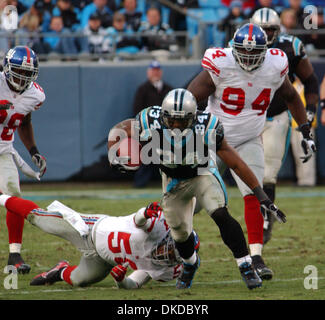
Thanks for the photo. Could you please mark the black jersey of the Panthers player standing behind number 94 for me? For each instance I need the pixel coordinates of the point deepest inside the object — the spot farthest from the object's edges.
(295, 51)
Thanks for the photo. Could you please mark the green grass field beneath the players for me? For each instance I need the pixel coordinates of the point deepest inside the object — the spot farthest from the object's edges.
(298, 243)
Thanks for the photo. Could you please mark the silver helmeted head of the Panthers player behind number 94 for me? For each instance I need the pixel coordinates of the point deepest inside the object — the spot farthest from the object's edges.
(269, 20)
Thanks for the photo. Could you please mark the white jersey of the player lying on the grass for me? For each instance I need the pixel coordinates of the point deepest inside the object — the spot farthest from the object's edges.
(118, 240)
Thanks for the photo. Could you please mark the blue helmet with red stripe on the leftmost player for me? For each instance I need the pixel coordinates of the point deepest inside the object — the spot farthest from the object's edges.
(20, 67)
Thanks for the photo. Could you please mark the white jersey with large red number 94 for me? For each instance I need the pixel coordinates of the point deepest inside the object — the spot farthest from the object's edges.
(241, 98)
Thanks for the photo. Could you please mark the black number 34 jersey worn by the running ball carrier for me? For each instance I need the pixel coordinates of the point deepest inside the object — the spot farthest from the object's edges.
(179, 154)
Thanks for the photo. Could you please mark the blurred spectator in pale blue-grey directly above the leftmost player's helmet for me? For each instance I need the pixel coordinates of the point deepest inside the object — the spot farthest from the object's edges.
(28, 33)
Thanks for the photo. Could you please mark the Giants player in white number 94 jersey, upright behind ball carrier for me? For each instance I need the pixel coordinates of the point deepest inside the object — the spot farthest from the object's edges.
(240, 82)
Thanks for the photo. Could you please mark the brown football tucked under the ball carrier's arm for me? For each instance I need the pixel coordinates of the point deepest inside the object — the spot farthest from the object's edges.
(130, 149)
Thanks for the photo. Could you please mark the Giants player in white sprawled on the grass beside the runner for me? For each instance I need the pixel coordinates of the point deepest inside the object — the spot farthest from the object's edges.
(109, 244)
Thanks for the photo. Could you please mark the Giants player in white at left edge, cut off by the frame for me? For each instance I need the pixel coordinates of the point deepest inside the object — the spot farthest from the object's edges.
(20, 96)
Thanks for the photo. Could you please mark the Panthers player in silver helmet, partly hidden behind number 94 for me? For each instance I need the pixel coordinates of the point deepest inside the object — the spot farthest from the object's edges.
(277, 126)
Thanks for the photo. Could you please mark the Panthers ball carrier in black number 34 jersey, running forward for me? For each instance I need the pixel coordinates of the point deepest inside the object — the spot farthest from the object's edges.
(184, 142)
